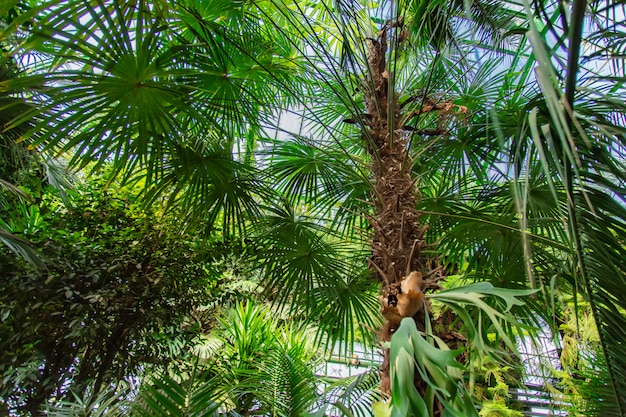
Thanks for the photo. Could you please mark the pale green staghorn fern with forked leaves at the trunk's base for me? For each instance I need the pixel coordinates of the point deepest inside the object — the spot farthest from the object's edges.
(438, 366)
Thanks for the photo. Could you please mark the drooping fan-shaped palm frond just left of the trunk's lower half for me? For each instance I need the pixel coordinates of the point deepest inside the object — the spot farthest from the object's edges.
(310, 271)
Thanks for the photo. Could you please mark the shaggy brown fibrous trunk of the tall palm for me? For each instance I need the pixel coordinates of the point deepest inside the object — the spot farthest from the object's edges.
(397, 243)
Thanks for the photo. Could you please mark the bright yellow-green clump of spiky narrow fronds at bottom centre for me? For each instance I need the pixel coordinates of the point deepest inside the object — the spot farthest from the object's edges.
(264, 365)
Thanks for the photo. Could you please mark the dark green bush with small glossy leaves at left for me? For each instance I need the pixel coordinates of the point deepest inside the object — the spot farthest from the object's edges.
(115, 294)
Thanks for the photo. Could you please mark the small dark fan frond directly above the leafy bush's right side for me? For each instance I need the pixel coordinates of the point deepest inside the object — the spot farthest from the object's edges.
(208, 185)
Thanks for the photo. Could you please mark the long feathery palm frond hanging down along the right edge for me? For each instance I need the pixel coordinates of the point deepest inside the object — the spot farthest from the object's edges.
(585, 149)
